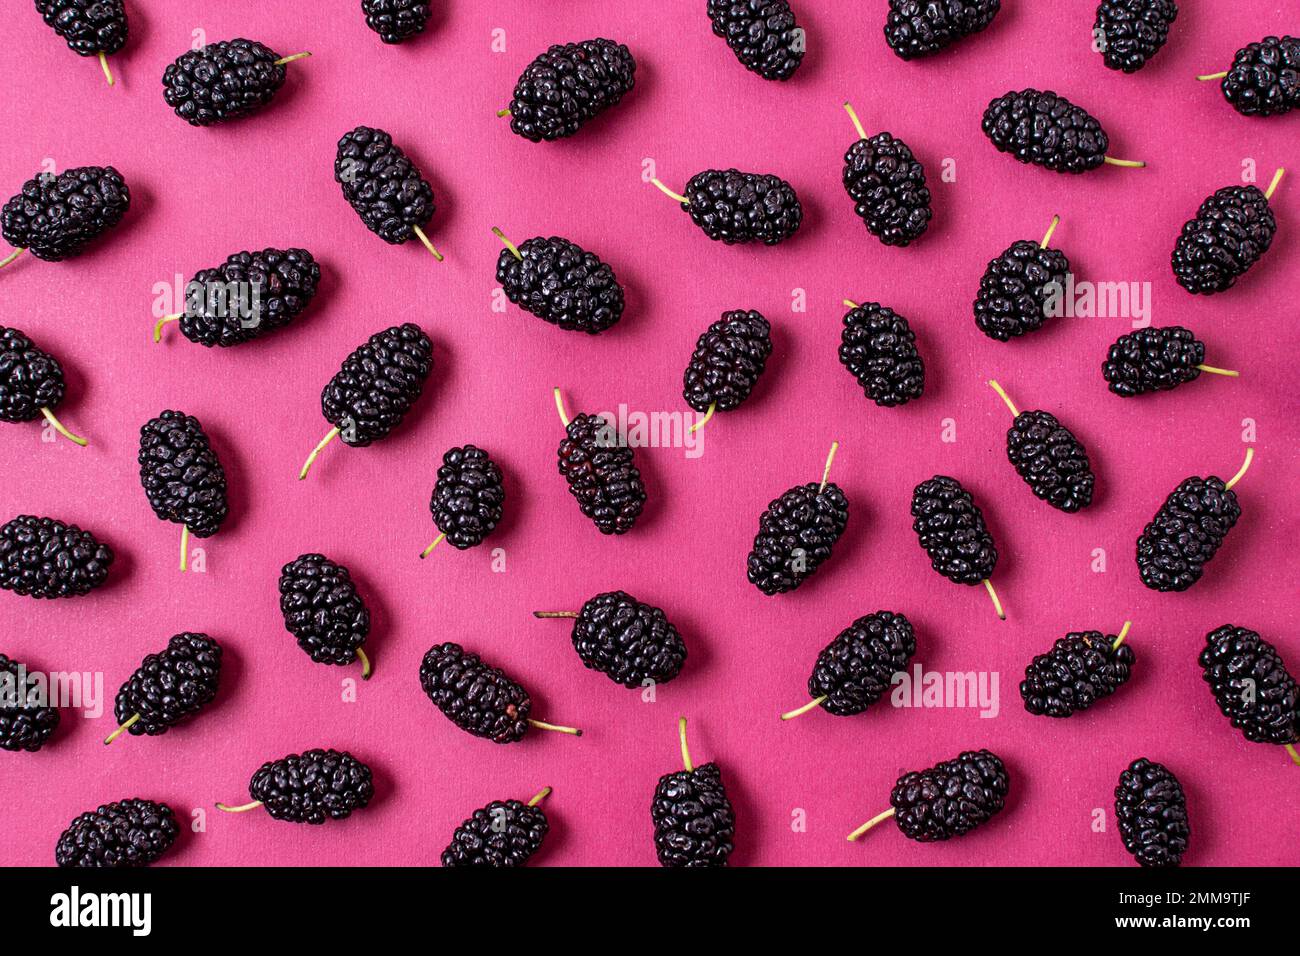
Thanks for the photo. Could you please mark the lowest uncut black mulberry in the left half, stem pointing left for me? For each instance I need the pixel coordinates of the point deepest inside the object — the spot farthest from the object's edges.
(310, 788)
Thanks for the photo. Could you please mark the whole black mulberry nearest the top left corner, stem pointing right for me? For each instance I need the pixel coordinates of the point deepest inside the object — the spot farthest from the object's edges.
(223, 81)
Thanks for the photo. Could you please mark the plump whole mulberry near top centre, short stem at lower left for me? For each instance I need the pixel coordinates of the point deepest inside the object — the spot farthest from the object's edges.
(567, 86)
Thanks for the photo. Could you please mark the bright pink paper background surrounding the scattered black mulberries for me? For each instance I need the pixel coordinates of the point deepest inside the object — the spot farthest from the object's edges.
(200, 196)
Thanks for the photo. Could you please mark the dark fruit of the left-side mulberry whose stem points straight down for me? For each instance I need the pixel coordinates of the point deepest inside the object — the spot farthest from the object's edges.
(183, 475)
